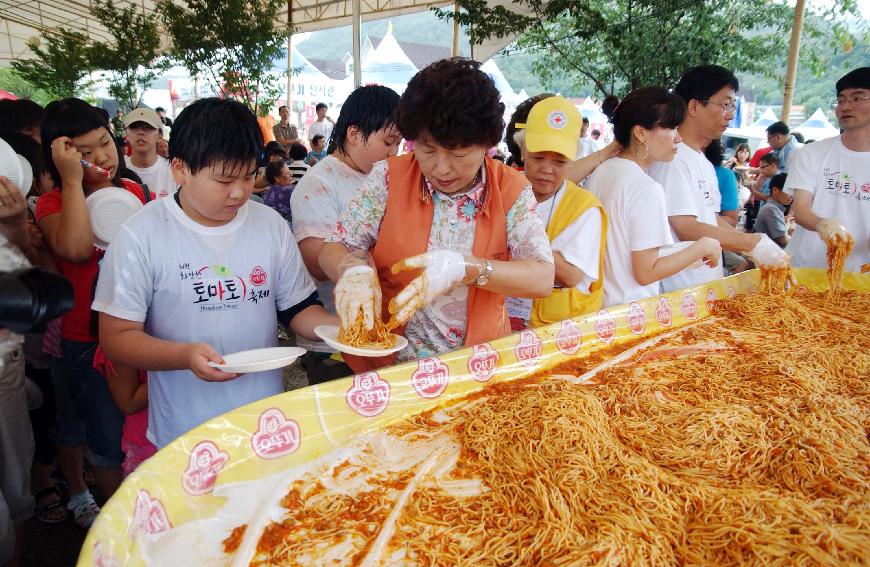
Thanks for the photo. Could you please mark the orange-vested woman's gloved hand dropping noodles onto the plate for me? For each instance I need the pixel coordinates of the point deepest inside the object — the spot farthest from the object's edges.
(357, 290)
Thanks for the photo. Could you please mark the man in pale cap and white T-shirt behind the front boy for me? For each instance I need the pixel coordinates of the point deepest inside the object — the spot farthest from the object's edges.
(143, 133)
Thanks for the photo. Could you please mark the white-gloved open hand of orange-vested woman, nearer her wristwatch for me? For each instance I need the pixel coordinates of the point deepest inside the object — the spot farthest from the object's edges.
(443, 270)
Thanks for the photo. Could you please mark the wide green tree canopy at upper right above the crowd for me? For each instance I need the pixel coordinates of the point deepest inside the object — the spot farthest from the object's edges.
(618, 45)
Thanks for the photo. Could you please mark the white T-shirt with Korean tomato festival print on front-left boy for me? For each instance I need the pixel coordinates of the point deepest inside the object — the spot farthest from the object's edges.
(192, 283)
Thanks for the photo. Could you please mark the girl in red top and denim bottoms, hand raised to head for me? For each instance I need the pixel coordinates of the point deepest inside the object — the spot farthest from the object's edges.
(71, 131)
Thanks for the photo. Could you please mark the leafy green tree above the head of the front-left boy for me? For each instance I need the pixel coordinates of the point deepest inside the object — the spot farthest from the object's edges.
(232, 44)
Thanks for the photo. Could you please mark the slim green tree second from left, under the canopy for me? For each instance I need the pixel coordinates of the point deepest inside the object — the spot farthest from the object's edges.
(133, 56)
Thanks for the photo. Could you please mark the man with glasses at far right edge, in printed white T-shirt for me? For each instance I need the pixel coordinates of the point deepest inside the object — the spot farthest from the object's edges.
(830, 182)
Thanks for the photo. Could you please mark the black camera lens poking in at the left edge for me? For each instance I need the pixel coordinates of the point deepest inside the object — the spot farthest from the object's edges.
(31, 297)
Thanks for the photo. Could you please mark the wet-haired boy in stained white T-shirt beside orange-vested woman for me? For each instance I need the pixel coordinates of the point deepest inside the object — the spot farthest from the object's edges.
(362, 138)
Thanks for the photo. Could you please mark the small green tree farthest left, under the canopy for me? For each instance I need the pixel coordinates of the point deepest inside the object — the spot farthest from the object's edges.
(60, 64)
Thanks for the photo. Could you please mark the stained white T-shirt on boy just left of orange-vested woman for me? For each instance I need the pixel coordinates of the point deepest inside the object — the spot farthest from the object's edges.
(316, 203)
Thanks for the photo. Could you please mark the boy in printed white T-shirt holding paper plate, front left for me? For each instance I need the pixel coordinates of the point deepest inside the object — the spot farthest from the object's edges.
(202, 273)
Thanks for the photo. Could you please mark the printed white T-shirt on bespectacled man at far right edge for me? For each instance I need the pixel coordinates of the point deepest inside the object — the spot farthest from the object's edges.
(839, 180)
